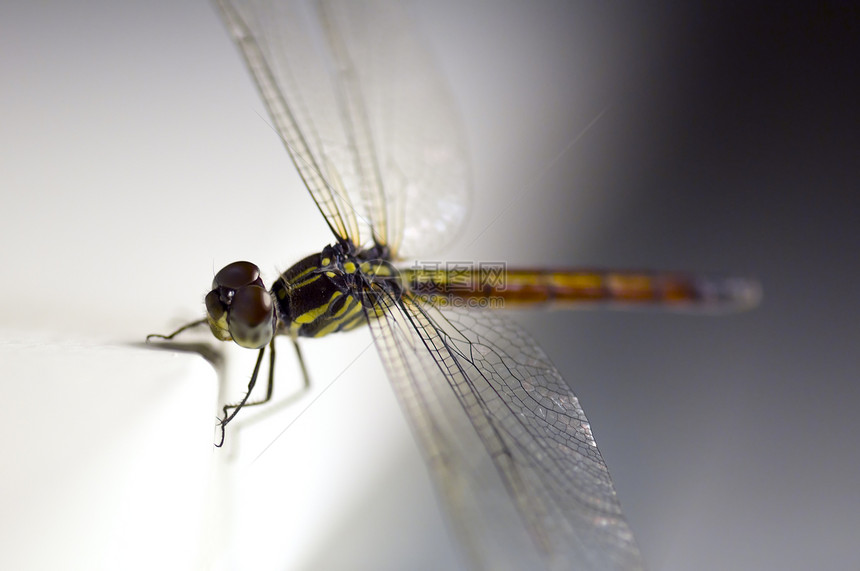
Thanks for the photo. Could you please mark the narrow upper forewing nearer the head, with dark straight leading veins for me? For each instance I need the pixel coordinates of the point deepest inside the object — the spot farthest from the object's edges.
(281, 44)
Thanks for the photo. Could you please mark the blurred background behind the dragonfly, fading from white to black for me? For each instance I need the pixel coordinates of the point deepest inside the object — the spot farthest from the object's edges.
(728, 142)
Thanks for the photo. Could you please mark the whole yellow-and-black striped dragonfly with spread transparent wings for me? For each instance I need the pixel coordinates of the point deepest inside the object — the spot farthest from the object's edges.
(375, 137)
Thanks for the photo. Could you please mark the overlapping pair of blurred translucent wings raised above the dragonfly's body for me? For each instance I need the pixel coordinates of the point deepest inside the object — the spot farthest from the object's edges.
(357, 100)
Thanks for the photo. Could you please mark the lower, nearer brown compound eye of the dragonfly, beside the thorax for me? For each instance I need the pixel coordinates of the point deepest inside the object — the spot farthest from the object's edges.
(251, 317)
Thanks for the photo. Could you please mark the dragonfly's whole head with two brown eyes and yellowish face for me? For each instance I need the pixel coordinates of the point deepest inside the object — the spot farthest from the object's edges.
(239, 308)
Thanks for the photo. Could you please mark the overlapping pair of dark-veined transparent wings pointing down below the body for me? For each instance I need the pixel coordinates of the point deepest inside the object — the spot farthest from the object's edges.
(501, 430)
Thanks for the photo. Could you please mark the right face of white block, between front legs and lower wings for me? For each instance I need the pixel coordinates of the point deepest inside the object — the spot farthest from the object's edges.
(332, 481)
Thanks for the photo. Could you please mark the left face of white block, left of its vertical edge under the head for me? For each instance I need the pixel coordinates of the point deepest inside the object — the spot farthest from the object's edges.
(105, 456)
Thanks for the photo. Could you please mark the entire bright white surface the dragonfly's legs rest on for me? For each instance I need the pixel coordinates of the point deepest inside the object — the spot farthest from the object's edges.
(109, 464)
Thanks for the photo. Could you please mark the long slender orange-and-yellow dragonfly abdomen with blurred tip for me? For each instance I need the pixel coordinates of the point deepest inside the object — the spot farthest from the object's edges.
(528, 288)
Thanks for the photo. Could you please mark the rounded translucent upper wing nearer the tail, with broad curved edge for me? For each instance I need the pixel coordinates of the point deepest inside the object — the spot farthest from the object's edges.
(404, 121)
